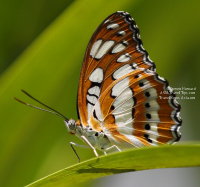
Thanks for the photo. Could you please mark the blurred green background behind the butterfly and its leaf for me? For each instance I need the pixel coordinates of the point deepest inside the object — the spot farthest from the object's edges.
(42, 44)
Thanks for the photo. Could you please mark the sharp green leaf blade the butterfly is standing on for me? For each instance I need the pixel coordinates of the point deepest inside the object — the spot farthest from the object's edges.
(122, 162)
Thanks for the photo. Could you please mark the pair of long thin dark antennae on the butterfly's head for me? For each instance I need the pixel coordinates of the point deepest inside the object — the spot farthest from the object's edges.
(54, 111)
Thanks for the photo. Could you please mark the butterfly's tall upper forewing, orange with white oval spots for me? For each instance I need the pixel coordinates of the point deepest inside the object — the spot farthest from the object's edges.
(115, 42)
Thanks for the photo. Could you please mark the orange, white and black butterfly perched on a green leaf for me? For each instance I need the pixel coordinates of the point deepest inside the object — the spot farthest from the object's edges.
(121, 102)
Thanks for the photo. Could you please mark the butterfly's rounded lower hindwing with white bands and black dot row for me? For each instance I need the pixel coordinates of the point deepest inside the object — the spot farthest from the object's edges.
(140, 109)
